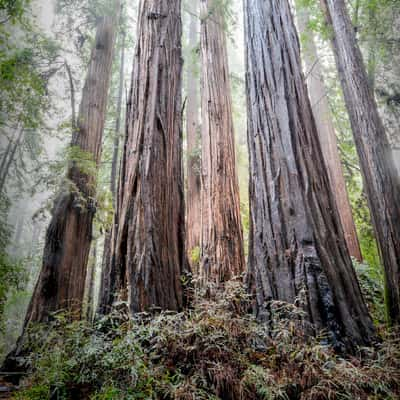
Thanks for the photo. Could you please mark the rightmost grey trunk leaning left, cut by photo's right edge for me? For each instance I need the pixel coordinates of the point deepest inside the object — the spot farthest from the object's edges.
(380, 176)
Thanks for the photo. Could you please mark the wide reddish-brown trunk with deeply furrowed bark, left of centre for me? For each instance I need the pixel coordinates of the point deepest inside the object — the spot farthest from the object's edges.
(148, 237)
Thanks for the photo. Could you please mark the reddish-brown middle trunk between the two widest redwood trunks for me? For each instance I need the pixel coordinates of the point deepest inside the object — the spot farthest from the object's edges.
(222, 254)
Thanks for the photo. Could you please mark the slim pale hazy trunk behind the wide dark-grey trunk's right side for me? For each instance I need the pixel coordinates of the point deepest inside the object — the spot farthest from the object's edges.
(327, 135)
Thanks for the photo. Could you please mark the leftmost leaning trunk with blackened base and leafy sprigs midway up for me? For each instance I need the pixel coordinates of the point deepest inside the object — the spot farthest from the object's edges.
(61, 282)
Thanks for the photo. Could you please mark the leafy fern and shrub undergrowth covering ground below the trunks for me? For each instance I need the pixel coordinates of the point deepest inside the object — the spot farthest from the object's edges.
(215, 350)
